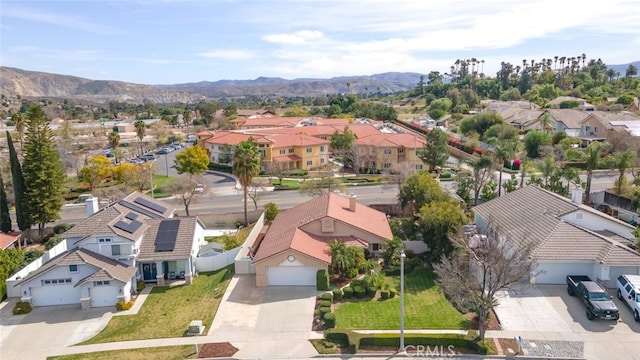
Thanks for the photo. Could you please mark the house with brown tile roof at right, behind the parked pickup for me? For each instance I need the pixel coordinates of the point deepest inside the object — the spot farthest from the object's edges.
(571, 238)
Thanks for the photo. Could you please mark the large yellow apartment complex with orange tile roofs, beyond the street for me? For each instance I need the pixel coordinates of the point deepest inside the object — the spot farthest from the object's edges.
(307, 147)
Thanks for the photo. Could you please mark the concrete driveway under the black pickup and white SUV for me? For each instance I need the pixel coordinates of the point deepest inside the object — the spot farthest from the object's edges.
(547, 312)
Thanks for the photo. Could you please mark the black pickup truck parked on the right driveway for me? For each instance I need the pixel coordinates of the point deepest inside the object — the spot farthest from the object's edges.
(597, 300)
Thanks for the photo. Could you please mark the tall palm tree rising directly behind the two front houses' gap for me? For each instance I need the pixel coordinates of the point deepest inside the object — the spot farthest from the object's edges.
(246, 165)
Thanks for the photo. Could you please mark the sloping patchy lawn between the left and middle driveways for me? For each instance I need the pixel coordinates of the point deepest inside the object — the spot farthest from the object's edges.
(168, 311)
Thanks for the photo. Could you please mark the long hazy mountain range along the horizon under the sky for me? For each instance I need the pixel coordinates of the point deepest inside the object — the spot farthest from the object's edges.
(39, 84)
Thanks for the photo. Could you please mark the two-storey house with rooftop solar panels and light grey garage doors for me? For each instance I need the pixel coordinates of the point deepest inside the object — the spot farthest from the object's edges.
(136, 238)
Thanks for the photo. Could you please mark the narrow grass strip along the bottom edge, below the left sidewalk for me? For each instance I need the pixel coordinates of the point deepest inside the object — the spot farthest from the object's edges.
(165, 352)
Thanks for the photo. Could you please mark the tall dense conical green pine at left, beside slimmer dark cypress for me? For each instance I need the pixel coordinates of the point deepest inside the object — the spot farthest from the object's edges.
(42, 169)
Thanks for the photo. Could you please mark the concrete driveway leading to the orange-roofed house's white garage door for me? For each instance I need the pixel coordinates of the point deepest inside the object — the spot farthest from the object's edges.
(272, 322)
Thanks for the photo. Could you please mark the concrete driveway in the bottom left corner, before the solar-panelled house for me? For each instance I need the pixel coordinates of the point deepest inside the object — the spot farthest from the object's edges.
(46, 330)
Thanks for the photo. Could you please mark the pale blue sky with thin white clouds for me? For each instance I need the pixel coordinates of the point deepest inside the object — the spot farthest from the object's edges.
(182, 41)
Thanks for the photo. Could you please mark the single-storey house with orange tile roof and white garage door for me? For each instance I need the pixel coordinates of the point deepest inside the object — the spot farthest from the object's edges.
(296, 245)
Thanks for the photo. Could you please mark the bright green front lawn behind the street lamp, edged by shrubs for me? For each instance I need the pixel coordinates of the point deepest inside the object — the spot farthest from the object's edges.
(425, 308)
